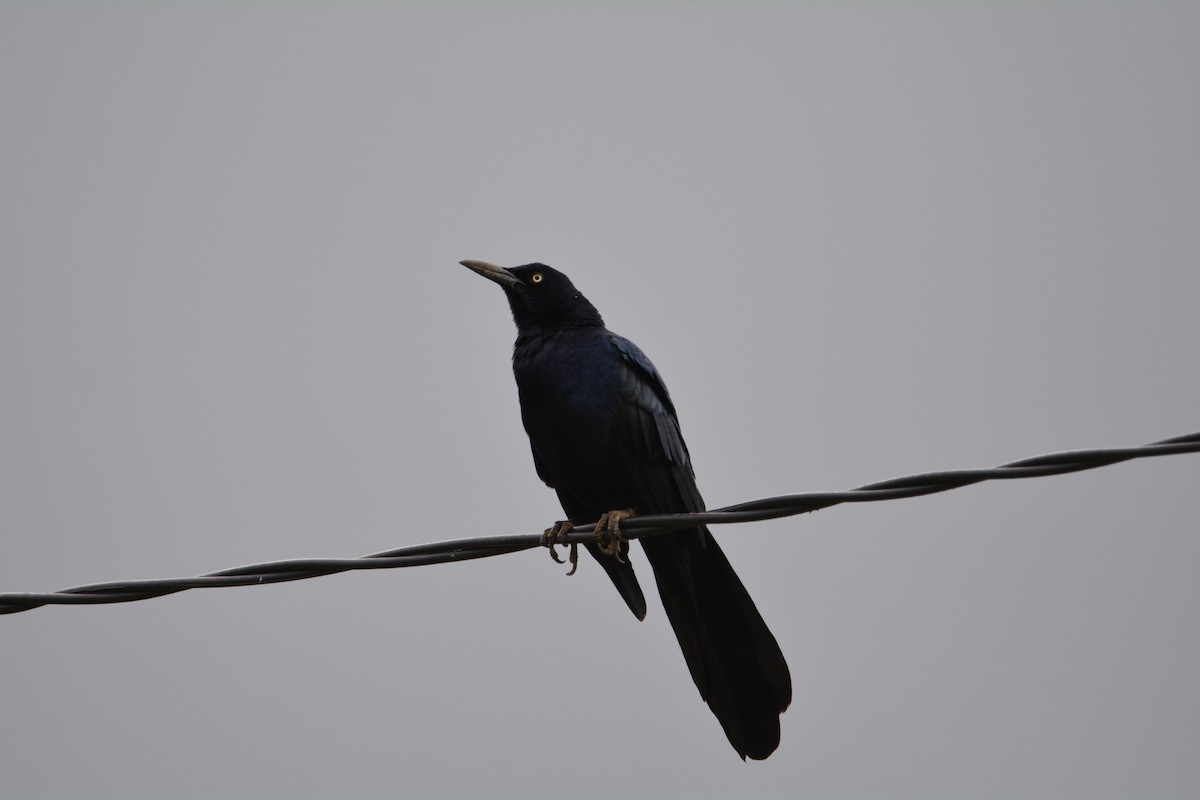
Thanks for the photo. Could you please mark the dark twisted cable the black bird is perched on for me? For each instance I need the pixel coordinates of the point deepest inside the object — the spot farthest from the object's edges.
(640, 527)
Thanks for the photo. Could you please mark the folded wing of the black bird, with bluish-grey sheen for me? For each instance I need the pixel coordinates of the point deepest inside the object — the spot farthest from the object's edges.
(649, 434)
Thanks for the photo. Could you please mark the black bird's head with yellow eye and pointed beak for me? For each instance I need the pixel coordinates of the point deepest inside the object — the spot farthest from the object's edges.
(541, 297)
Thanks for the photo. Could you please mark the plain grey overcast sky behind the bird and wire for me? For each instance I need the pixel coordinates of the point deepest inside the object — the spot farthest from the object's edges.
(859, 243)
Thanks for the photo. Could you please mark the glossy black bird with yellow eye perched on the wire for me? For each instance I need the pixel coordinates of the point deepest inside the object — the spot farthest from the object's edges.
(605, 437)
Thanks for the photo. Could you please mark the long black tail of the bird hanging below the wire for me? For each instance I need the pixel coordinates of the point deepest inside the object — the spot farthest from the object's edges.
(733, 655)
